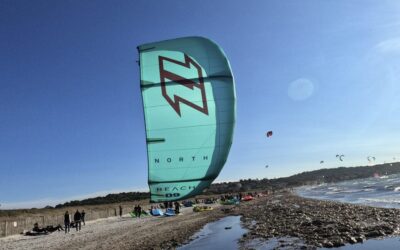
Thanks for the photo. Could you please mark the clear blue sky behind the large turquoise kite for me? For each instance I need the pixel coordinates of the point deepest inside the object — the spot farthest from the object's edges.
(323, 75)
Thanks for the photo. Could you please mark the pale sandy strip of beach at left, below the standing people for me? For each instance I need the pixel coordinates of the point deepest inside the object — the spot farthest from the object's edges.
(120, 233)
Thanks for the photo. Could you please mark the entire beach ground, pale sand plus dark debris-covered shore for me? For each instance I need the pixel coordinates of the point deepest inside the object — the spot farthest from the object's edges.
(316, 223)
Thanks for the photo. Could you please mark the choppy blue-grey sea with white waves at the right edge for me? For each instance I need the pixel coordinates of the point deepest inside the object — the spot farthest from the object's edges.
(377, 191)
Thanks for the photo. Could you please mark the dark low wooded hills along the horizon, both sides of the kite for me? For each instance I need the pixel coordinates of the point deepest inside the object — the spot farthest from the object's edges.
(305, 178)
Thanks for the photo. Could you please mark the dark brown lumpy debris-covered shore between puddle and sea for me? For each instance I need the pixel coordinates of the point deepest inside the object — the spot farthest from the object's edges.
(319, 223)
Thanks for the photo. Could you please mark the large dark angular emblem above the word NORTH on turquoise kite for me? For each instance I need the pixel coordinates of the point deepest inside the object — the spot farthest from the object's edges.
(167, 77)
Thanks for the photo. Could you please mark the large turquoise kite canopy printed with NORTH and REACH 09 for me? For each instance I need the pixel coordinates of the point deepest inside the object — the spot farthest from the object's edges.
(189, 109)
